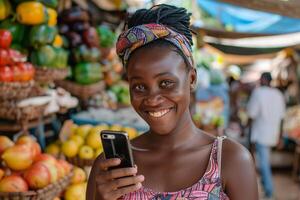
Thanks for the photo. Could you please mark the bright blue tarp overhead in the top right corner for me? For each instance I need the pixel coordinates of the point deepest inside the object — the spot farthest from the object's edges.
(250, 21)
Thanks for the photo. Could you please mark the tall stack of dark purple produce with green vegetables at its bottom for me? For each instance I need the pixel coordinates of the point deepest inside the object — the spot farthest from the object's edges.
(83, 42)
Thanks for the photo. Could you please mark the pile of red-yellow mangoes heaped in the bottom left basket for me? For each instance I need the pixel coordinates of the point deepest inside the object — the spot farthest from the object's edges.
(25, 168)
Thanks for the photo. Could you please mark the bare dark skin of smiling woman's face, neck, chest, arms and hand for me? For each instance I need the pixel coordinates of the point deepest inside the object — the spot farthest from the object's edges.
(160, 84)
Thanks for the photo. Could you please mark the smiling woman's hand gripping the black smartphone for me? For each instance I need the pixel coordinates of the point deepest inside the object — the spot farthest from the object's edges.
(113, 184)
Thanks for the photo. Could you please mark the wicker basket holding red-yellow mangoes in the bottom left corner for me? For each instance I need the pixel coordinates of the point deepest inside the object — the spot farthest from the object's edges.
(48, 193)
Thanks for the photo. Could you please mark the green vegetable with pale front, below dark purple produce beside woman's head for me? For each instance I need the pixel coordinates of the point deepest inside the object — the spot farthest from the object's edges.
(87, 73)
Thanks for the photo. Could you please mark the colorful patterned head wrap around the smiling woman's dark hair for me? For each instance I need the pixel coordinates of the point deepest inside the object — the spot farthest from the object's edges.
(141, 35)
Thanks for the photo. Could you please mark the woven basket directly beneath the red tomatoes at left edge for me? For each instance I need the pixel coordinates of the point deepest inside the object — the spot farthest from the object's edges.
(15, 90)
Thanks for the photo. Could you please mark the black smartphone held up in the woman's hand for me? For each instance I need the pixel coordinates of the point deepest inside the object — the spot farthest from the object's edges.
(116, 145)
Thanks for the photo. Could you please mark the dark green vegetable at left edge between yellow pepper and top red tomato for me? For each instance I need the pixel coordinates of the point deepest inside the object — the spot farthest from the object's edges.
(17, 30)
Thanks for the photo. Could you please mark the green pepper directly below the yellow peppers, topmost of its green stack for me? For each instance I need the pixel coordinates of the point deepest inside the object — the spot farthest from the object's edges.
(41, 35)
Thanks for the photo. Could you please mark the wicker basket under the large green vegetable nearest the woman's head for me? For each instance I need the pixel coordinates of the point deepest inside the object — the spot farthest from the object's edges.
(83, 92)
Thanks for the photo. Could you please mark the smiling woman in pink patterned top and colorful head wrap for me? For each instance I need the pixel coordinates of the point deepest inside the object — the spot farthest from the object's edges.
(181, 161)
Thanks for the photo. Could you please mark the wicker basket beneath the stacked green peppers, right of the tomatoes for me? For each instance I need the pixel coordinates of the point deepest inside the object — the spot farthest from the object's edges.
(47, 75)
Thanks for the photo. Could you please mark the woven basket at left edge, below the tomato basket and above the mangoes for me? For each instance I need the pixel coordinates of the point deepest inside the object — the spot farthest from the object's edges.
(9, 110)
